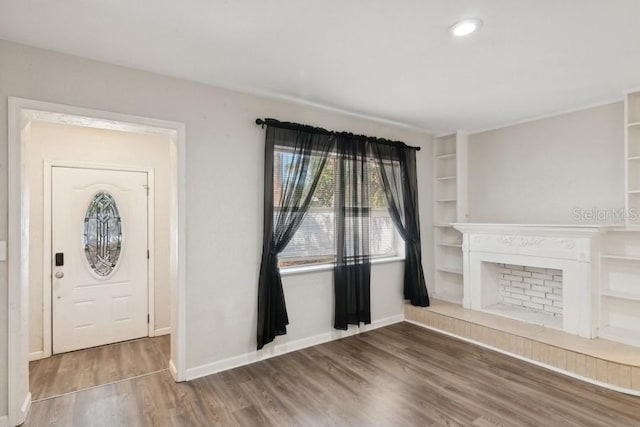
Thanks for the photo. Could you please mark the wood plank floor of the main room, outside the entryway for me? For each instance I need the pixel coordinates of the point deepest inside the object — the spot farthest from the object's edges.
(398, 375)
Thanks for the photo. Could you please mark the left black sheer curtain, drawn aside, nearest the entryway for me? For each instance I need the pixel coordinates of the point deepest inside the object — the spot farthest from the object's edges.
(288, 191)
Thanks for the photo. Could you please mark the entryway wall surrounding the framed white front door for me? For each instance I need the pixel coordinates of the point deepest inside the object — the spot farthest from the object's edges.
(51, 141)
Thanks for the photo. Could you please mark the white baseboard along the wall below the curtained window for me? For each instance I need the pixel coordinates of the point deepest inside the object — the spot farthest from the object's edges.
(286, 347)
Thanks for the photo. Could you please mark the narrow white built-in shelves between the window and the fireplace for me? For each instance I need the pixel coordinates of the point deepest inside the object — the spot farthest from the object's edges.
(450, 205)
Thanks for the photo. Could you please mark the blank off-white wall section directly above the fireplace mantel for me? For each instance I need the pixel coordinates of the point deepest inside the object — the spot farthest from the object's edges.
(538, 172)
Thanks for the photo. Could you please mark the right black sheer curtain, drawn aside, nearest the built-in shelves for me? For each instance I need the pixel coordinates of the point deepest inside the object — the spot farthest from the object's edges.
(397, 166)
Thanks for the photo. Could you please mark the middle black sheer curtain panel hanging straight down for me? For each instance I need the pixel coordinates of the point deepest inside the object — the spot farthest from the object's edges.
(352, 272)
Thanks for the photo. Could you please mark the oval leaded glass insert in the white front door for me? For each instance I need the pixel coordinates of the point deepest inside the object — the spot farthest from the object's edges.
(102, 234)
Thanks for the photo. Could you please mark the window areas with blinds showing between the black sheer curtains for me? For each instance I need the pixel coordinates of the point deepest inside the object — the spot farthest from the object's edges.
(314, 242)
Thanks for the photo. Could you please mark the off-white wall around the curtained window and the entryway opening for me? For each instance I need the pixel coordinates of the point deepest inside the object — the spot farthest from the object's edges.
(224, 162)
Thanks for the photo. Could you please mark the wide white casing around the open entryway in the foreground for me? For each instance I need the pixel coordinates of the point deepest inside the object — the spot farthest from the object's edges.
(21, 113)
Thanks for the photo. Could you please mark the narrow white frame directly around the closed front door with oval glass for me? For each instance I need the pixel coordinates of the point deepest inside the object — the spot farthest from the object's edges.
(47, 280)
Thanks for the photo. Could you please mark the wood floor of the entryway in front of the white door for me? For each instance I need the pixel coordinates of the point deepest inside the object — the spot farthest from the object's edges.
(82, 369)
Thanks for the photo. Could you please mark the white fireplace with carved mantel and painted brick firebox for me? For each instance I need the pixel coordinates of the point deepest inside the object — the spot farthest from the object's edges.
(556, 261)
